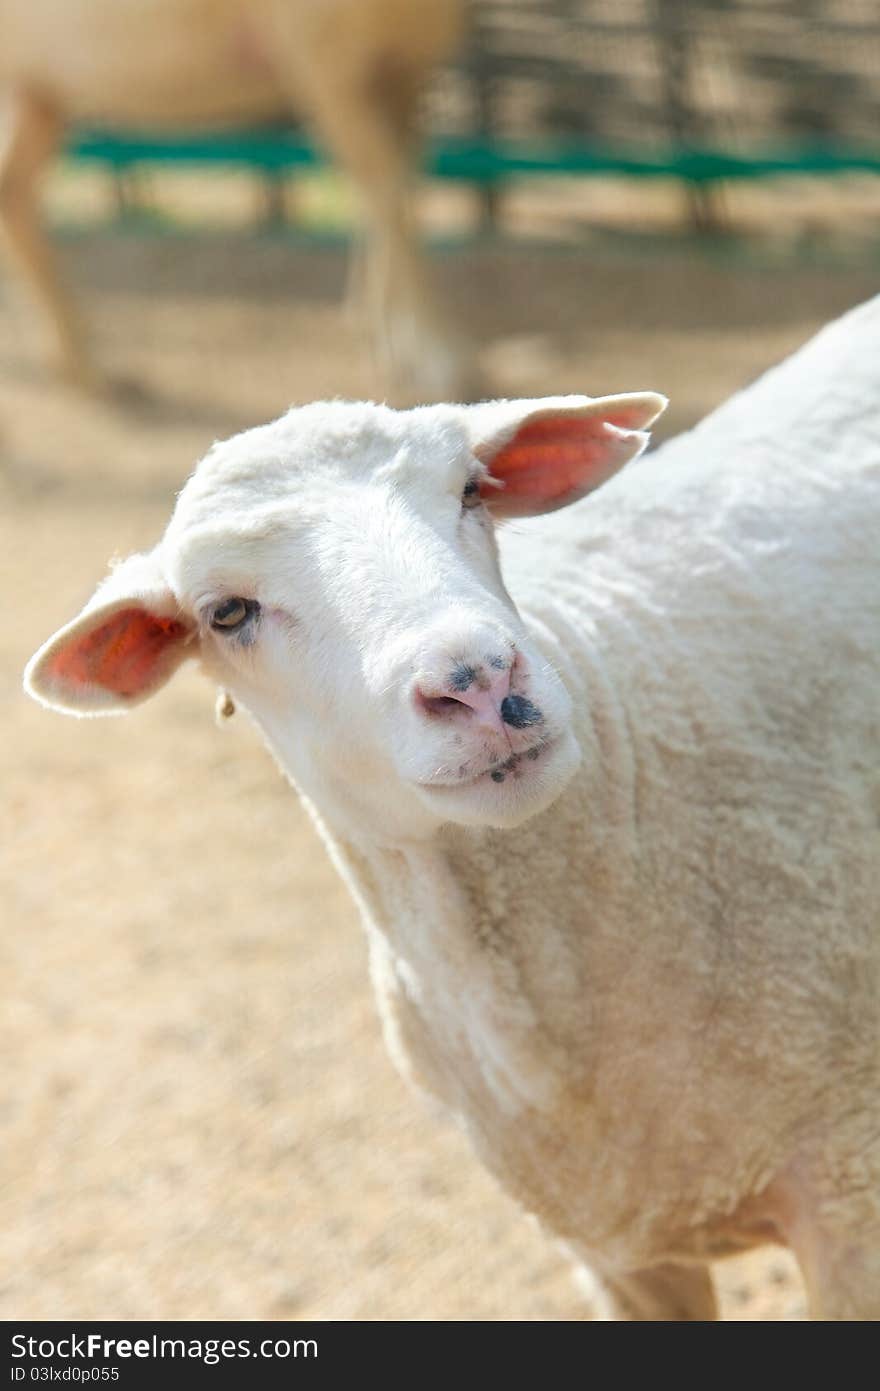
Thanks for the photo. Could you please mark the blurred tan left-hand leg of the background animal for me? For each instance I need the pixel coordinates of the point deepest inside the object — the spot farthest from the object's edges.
(31, 138)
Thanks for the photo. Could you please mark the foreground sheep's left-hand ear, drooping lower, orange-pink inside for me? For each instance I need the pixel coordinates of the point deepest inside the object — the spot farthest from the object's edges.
(124, 646)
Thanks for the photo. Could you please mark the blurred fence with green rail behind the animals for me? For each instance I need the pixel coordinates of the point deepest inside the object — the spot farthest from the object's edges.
(699, 90)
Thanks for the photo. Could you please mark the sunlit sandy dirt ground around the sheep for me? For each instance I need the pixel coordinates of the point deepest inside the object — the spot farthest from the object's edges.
(199, 1118)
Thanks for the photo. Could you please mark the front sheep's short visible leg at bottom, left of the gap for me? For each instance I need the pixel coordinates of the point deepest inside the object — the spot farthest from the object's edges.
(661, 1294)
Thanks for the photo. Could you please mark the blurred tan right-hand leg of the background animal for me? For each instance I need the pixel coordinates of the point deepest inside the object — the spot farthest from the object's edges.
(368, 123)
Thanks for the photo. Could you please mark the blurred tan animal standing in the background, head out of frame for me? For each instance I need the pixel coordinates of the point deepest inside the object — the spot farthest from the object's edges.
(355, 69)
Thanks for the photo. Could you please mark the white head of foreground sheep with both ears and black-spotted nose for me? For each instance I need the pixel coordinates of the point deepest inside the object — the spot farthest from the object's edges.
(337, 572)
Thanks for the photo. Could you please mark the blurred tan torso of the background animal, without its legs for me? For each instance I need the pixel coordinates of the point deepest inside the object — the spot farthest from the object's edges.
(170, 63)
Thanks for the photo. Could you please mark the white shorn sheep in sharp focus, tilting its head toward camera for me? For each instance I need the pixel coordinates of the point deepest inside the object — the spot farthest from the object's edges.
(611, 821)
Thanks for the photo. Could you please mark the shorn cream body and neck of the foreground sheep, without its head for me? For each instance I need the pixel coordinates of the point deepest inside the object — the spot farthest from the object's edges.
(669, 1027)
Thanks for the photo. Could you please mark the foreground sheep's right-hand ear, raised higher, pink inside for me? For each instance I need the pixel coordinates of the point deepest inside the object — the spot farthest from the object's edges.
(544, 454)
